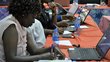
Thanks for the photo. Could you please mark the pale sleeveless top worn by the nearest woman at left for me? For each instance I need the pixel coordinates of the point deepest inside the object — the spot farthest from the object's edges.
(21, 47)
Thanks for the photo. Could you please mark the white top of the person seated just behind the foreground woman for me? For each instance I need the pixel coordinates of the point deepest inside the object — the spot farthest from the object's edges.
(37, 32)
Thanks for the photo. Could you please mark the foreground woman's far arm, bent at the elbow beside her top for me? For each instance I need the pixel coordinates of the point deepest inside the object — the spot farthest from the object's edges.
(32, 46)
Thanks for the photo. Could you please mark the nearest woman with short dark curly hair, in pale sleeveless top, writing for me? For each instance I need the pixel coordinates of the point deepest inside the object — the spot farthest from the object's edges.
(15, 41)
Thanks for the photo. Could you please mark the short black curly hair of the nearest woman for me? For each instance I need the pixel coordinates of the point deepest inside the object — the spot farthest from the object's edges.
(23, 7)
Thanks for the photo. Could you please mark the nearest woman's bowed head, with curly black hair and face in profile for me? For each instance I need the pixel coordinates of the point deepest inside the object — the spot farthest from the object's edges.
(24, 11)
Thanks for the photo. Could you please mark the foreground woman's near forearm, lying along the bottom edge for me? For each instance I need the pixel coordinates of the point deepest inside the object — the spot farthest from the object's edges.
(30, 58)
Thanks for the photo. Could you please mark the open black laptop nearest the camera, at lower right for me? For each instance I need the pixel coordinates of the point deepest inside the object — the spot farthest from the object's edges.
(92, 53)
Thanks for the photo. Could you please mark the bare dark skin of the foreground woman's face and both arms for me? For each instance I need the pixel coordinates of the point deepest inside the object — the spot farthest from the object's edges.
(10, 43)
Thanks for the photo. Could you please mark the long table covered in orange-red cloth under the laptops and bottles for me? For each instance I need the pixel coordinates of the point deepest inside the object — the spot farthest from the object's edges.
(88, 37)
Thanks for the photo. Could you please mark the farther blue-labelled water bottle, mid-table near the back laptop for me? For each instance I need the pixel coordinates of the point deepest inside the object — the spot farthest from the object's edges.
(77, 27)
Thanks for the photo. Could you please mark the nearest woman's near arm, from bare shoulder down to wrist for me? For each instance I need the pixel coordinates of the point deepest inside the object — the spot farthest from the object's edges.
(10, 47)
